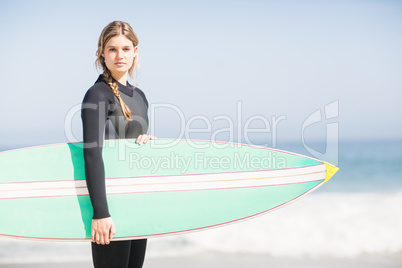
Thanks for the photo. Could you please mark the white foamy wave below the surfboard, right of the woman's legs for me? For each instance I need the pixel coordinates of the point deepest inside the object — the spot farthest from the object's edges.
(337, 225)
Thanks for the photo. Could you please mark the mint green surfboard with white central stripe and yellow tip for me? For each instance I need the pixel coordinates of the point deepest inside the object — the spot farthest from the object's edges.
(163, 187)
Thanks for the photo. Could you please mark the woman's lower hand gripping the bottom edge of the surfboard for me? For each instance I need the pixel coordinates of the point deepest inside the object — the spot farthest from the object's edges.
(102, 230)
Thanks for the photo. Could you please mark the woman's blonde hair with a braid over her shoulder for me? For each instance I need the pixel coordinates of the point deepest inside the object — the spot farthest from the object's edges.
(113, 29)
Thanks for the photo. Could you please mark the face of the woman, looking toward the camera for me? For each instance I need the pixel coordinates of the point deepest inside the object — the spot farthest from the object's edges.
(119, 54)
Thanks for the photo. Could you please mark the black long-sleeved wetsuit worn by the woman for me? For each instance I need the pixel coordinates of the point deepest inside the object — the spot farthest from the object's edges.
(102, 118)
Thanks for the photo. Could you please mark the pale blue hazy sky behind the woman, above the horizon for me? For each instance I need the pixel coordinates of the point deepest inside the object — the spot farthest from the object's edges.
(264, 72)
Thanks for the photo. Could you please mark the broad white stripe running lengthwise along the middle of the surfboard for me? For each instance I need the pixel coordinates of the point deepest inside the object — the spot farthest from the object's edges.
(166, 183)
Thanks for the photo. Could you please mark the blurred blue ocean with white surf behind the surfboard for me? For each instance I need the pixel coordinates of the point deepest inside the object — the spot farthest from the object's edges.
(357, 214)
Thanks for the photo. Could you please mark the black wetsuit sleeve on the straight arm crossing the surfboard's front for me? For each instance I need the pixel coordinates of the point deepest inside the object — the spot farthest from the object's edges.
(94, 112)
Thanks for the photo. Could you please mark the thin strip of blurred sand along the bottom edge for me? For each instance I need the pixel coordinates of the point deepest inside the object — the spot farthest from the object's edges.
(236, 261)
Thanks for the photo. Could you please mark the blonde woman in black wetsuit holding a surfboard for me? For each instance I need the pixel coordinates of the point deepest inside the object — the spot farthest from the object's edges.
(112, 108)
